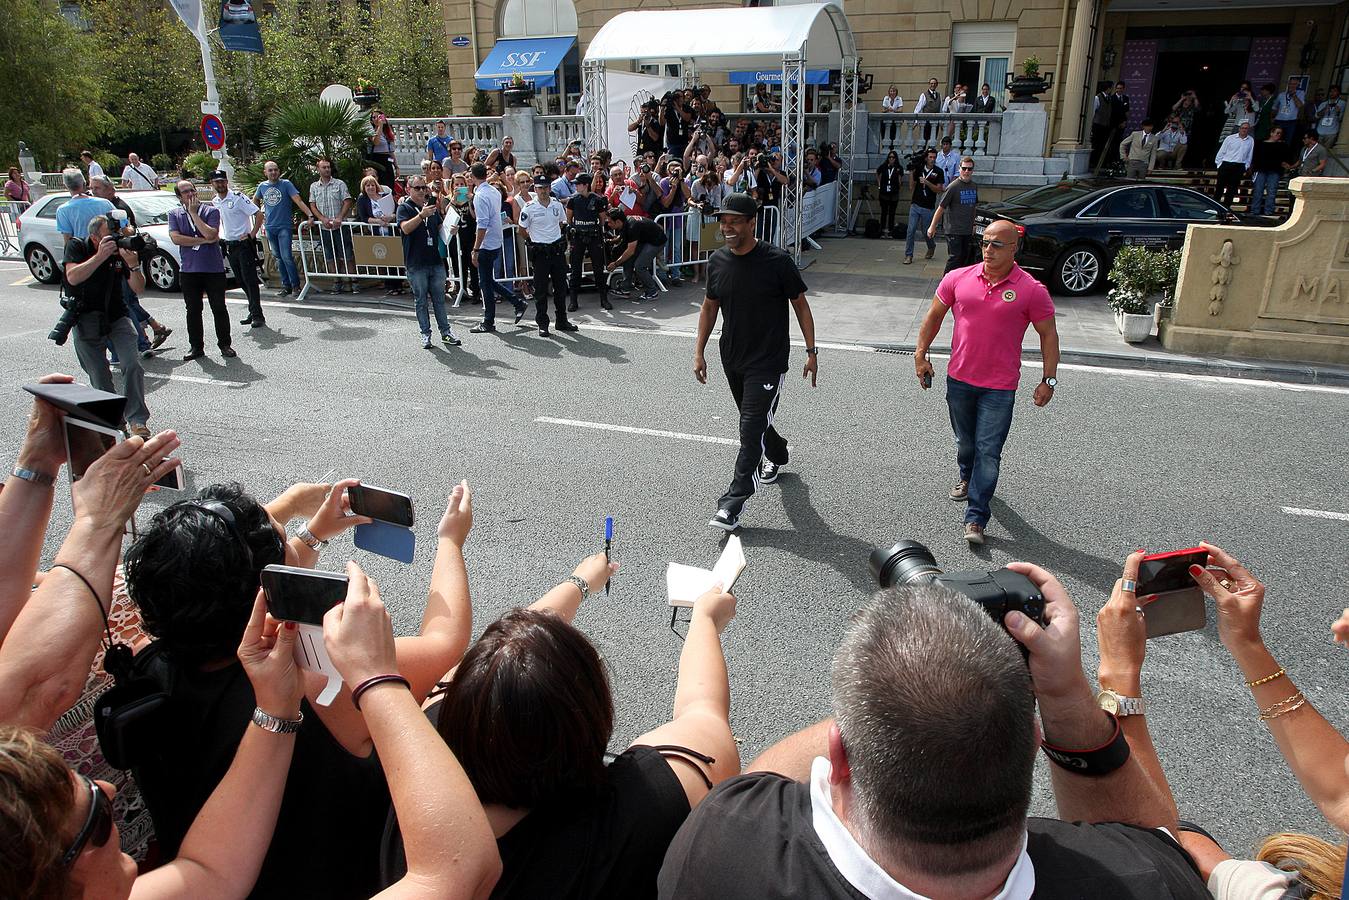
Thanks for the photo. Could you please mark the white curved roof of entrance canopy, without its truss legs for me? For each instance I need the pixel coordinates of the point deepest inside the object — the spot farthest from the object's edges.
(726, 40)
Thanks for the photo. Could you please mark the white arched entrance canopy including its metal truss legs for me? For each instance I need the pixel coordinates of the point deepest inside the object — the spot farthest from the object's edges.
(788, 40)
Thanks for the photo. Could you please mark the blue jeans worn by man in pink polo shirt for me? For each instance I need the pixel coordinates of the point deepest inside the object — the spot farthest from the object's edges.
(981, 419)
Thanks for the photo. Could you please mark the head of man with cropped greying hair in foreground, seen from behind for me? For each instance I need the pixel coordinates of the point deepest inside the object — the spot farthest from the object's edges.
(937, 719)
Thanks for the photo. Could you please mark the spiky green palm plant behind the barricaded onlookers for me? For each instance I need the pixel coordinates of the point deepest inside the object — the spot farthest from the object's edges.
(297, 136)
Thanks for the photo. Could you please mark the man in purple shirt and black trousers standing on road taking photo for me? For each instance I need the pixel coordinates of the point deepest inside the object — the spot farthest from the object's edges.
(196, 229)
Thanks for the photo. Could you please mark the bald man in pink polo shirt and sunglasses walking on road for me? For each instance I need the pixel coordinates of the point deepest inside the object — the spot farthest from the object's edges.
(994, 304)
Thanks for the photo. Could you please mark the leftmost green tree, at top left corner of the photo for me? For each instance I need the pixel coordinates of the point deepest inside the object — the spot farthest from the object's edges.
(52, 96)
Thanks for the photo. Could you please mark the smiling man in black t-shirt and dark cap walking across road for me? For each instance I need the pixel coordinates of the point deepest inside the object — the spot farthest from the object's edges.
(752, 285)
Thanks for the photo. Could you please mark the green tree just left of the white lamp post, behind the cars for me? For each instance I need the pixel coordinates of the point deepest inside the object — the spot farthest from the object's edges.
(150, 64)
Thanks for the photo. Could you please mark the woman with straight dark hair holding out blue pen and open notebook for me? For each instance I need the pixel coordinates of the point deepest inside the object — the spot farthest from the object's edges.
(529, 714)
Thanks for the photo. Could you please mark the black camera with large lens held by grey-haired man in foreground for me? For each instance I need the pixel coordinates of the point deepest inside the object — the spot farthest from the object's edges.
(999, 592)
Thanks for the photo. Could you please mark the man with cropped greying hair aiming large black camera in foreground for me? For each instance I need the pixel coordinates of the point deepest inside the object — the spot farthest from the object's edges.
(923, 783)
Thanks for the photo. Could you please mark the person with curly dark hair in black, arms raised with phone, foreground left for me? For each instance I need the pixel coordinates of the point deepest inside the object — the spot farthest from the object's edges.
(194, 575)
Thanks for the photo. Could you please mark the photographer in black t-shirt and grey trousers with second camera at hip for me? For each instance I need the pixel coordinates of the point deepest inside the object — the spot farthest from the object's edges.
(95, 271)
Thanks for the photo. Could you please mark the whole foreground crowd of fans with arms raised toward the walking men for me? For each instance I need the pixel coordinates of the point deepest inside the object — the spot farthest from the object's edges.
(459, 768)
